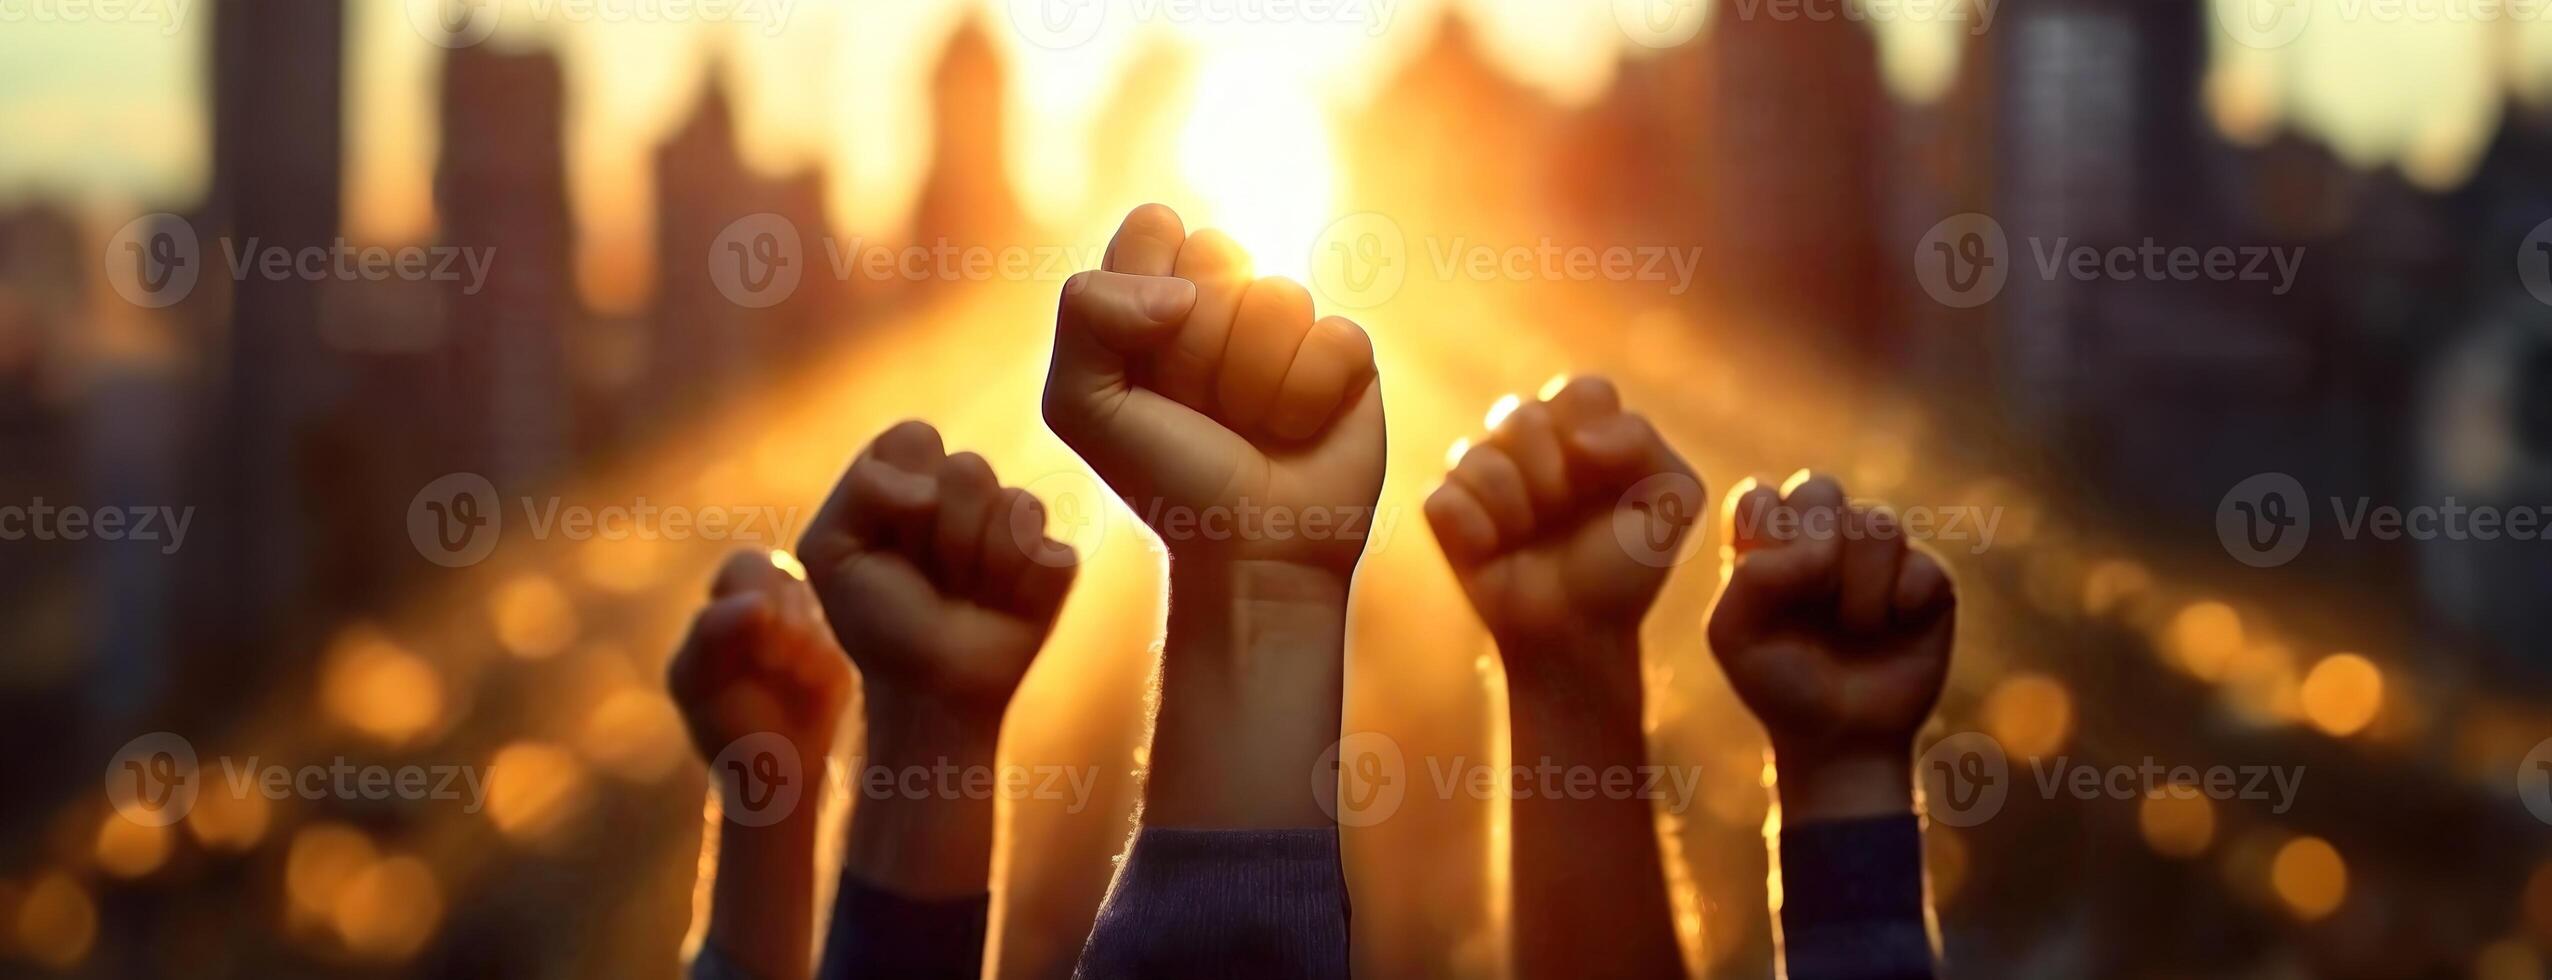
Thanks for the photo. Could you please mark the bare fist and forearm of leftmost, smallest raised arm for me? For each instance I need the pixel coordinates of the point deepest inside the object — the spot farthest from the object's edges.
(759, 660)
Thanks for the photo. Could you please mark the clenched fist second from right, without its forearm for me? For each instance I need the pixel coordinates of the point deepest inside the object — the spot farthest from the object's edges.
(1566, 519)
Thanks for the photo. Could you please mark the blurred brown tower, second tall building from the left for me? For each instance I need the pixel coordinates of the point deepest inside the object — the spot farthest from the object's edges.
(501, 185)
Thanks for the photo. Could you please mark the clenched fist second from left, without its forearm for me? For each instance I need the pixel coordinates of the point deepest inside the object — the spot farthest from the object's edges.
(938, 578)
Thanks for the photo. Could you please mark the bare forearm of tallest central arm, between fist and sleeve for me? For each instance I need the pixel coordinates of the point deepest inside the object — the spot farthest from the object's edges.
(1252, 688)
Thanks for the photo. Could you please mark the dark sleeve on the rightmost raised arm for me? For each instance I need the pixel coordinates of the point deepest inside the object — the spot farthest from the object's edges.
(1851, 900)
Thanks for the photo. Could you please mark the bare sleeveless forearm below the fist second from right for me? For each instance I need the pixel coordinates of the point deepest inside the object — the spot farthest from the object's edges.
(1589, 882)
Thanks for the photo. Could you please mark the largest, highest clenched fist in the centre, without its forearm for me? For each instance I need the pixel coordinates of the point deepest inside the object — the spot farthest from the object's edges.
(1231, 420)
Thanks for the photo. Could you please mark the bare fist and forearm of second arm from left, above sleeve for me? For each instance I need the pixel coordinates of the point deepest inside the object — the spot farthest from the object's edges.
(943, 588)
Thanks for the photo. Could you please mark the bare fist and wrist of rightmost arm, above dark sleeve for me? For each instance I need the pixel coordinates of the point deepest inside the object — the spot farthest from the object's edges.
(1836, 634)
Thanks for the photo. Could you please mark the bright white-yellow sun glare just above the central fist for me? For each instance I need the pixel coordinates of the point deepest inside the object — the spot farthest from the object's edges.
(1257, 152)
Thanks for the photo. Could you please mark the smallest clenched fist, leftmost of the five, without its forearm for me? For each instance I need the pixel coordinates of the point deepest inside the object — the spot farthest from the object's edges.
(759, 660)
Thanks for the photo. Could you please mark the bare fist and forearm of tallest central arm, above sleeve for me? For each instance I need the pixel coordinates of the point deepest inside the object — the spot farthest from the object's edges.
(1203, 394)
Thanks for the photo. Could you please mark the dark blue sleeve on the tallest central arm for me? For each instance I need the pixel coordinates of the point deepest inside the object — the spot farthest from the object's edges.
(1224, 905)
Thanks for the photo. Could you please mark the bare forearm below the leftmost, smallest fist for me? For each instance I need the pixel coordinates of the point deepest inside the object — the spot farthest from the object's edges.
(762, 907)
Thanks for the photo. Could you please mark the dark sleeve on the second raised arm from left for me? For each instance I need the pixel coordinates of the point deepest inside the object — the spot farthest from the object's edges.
(884, 935)
